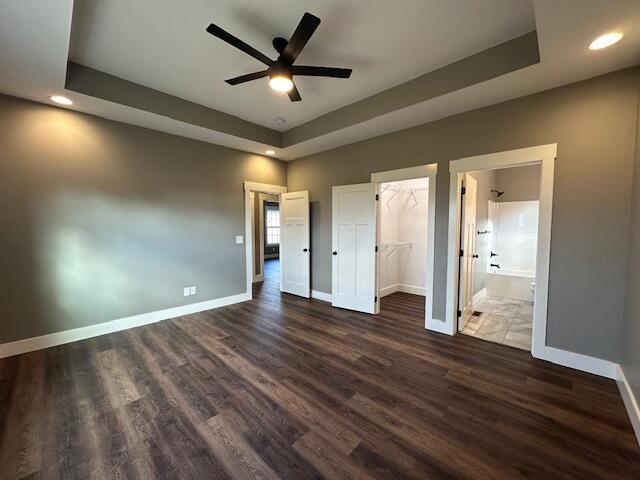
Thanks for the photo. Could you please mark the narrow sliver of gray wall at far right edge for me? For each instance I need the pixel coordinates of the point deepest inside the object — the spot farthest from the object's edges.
(631, 334)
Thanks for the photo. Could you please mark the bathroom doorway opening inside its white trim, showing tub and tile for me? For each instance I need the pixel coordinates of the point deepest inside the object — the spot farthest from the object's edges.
(498, 254)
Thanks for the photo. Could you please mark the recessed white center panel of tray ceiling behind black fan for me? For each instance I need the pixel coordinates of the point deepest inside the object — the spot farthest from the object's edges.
(385, 42)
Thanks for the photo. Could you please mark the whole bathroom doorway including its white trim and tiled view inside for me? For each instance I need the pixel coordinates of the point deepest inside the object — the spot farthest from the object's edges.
(500, 224)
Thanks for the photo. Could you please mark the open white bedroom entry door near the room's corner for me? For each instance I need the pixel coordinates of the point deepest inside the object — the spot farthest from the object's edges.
(294, 244)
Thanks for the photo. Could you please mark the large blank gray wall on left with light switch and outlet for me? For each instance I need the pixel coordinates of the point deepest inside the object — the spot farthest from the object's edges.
(102, 220)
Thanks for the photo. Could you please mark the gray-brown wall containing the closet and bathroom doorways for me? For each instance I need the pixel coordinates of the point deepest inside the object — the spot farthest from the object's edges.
(594, 124)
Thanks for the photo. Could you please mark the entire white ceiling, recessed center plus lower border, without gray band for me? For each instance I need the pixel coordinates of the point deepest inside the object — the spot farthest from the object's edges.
(34, 47)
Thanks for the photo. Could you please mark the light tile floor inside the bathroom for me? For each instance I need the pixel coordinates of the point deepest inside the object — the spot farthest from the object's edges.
(502, 320)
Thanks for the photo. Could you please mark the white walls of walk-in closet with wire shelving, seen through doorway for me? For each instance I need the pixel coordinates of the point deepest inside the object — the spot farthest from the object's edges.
(403, 236)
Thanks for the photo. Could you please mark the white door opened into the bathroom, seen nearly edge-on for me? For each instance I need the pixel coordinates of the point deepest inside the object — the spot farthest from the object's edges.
(468, 245)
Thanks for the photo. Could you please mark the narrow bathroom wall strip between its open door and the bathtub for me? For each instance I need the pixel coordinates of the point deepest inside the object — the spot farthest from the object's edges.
(486, 181)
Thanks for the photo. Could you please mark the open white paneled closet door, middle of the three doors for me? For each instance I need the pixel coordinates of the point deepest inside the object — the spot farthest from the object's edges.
(353, 247)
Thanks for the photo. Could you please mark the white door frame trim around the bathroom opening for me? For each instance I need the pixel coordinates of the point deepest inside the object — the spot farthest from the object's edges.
(543, 155)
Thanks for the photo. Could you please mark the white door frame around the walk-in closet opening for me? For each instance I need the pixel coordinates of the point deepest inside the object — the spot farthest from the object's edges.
(429, 171)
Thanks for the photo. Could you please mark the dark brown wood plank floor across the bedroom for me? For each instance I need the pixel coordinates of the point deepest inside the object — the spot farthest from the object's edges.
(284, 387)
